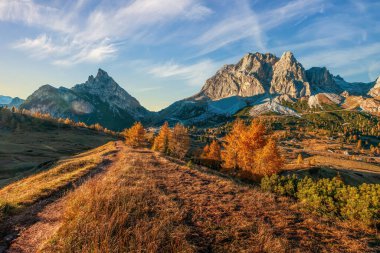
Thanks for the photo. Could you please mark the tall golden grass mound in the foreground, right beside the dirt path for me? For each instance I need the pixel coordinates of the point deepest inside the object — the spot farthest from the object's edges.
(121, 212)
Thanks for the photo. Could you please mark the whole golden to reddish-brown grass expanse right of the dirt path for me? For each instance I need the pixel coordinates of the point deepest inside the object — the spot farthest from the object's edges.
(146, 203)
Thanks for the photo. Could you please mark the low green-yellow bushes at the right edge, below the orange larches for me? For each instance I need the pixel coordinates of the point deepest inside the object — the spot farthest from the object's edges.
(329, 197)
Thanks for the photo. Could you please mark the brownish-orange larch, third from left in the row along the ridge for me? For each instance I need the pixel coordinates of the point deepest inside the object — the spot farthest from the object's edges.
(179, 141)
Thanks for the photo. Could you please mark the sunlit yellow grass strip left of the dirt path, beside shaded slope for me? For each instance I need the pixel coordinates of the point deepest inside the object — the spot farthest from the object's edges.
(18, 195)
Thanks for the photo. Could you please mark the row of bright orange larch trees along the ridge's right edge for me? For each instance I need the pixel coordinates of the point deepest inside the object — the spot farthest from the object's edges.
(247, 151)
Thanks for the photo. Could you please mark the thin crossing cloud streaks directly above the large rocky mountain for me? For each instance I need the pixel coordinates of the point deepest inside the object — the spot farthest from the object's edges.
(245, 23)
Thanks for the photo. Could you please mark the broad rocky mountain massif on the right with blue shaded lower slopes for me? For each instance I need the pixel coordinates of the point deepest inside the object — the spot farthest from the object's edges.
(263, 81)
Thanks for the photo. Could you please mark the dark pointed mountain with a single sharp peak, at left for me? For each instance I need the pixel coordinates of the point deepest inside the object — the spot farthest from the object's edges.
(99, 100)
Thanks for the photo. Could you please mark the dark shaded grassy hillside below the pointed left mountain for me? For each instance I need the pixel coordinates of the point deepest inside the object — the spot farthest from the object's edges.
(30, 144)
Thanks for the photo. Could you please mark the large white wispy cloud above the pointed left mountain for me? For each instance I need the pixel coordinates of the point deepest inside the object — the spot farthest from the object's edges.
(97, 36)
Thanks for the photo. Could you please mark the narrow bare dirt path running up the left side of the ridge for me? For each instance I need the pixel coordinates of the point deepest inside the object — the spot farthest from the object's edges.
(38, 222)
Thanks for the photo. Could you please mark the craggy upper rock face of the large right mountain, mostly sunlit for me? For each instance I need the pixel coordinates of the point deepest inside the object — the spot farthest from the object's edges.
(258, 73)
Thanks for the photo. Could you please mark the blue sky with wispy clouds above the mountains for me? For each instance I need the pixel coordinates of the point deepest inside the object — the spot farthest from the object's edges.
(162, 51)
